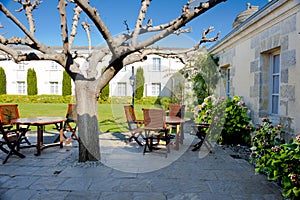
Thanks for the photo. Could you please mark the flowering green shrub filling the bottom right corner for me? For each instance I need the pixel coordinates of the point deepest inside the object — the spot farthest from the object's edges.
(280, 162)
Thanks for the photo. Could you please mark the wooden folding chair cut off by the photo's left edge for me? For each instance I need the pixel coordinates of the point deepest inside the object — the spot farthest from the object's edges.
(12, 138)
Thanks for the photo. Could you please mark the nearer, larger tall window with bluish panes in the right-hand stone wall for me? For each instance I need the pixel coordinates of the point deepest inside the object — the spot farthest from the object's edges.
(274, 83)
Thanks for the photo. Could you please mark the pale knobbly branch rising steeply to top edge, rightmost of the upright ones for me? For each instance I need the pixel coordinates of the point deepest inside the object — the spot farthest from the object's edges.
(139, 21)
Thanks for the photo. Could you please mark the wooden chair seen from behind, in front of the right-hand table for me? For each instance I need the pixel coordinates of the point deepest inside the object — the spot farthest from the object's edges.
(155, 129)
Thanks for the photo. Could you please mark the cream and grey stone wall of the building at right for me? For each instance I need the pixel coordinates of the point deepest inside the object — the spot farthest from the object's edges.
(247, 49)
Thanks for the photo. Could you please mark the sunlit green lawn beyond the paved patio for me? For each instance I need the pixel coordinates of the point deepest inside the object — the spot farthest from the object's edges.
(111, 116)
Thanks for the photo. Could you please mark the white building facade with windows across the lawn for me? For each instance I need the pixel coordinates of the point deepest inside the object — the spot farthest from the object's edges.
(157, 74)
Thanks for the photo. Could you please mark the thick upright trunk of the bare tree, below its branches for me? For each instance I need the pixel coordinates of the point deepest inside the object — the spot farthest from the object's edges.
(88, 130)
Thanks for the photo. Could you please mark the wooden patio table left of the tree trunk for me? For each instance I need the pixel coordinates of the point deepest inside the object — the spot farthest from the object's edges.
(40, 122)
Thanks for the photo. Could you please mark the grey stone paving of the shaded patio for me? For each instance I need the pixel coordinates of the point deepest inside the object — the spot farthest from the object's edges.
(125, 173)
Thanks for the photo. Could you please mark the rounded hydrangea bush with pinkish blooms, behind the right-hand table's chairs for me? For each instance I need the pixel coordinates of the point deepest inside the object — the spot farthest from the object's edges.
(232, 115)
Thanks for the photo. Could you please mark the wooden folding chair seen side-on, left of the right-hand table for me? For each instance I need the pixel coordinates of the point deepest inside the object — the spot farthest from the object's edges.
(134, 125)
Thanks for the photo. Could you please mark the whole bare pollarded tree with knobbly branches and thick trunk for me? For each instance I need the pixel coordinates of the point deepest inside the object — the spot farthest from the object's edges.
(120, 51)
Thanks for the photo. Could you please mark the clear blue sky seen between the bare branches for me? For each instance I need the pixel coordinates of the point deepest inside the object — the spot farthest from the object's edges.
(114, 12)
